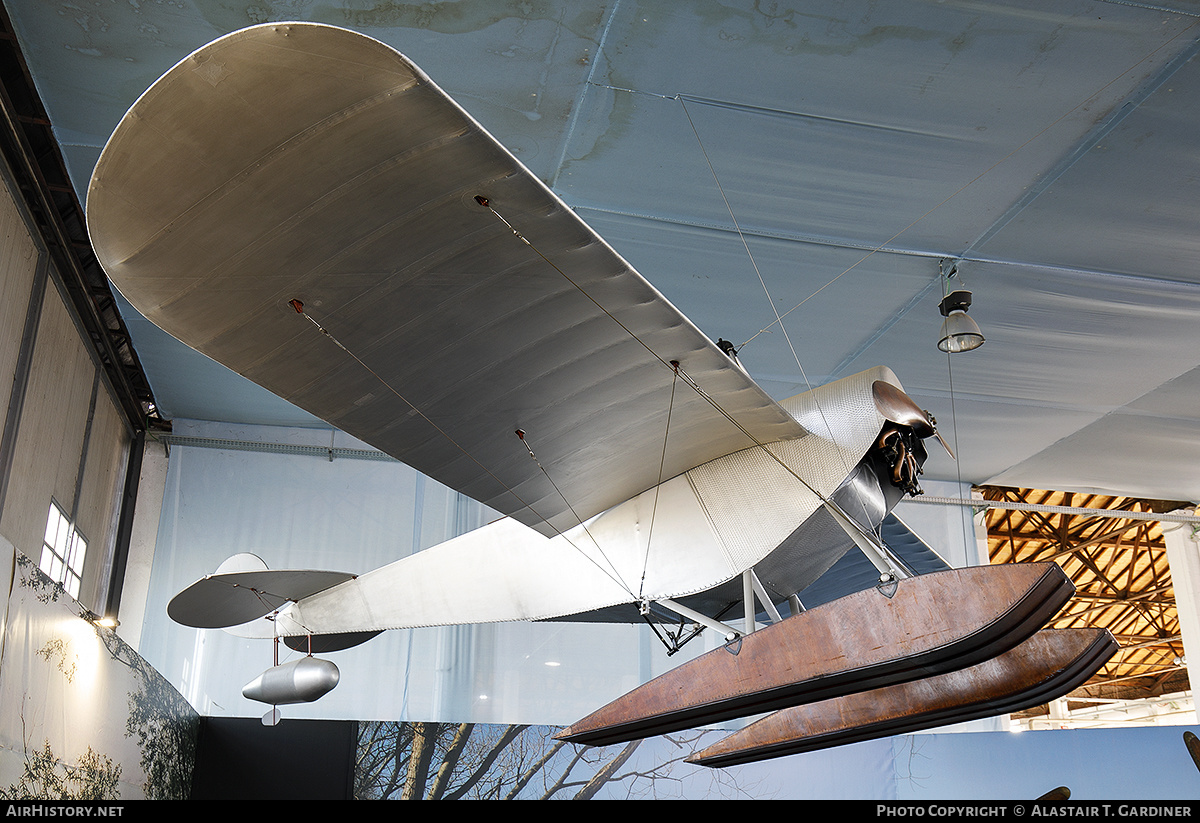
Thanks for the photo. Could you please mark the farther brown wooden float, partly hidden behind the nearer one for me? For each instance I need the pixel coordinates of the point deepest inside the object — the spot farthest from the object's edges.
(1047, 666)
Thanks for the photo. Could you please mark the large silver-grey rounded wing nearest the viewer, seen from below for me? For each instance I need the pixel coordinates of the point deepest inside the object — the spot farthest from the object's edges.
(303, 163)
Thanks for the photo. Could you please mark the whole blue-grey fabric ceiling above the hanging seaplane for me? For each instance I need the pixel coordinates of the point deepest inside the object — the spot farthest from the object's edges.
(824, 164)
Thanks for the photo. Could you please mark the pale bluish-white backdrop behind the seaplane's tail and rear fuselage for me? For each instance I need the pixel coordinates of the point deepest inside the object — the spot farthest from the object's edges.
(298, 508)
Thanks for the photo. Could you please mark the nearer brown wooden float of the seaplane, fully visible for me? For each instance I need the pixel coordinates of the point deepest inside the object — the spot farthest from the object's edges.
(863, 641)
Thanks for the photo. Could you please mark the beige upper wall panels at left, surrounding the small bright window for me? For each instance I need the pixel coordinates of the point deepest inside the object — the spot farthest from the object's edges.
(63, 436)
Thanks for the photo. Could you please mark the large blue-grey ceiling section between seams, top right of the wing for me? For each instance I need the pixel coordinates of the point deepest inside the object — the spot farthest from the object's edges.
(854, 123)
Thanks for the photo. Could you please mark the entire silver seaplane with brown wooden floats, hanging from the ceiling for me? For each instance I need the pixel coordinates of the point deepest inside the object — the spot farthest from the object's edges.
(303, 205)
